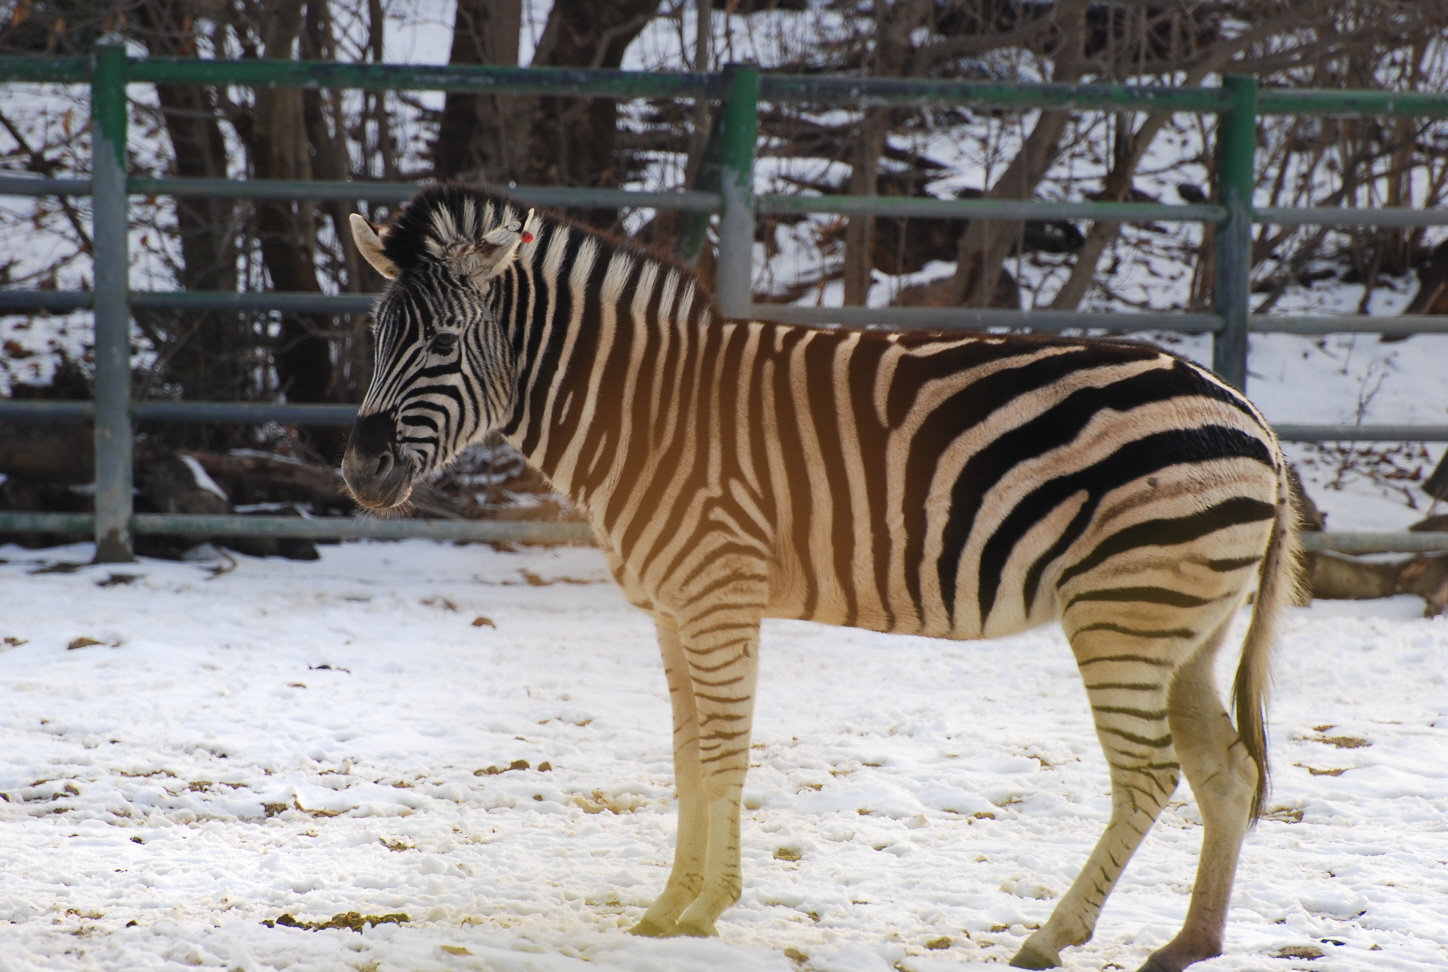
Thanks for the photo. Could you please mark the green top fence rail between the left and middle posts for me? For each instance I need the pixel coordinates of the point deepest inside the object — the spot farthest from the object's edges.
(447, 77)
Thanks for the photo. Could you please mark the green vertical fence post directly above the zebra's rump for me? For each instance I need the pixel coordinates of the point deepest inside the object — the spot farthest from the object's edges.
(1236, 180)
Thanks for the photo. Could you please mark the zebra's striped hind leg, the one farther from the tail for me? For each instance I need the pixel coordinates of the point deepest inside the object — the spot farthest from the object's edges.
(1127, 673)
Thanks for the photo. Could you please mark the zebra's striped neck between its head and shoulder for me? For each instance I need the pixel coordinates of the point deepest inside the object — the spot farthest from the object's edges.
(596, 331)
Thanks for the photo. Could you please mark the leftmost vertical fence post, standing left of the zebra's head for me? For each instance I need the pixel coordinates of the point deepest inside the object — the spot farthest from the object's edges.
(111, 208)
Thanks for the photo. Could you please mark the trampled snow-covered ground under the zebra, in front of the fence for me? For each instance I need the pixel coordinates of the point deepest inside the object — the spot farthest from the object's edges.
(188, 754)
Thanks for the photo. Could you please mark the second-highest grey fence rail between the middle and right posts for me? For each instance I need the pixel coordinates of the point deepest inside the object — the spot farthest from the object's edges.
(913, 208)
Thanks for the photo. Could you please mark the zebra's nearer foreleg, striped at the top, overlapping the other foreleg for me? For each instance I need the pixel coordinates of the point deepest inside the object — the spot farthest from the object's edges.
(720, 642)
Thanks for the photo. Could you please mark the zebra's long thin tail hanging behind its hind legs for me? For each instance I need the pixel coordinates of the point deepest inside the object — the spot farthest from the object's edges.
(1278, 587)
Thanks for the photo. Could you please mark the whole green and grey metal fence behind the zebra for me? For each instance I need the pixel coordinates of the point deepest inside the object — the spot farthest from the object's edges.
(109, 70)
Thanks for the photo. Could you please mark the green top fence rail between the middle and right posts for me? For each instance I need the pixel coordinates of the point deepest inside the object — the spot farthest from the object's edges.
(987, 95)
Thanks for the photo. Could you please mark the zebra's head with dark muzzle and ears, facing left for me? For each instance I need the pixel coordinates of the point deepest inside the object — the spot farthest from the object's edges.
(445, 367)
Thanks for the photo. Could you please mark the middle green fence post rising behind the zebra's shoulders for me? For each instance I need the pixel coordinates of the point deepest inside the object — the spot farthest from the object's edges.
(736, 264)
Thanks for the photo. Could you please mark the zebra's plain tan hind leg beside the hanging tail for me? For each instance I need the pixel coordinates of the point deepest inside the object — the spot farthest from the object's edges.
(1223, 779)
